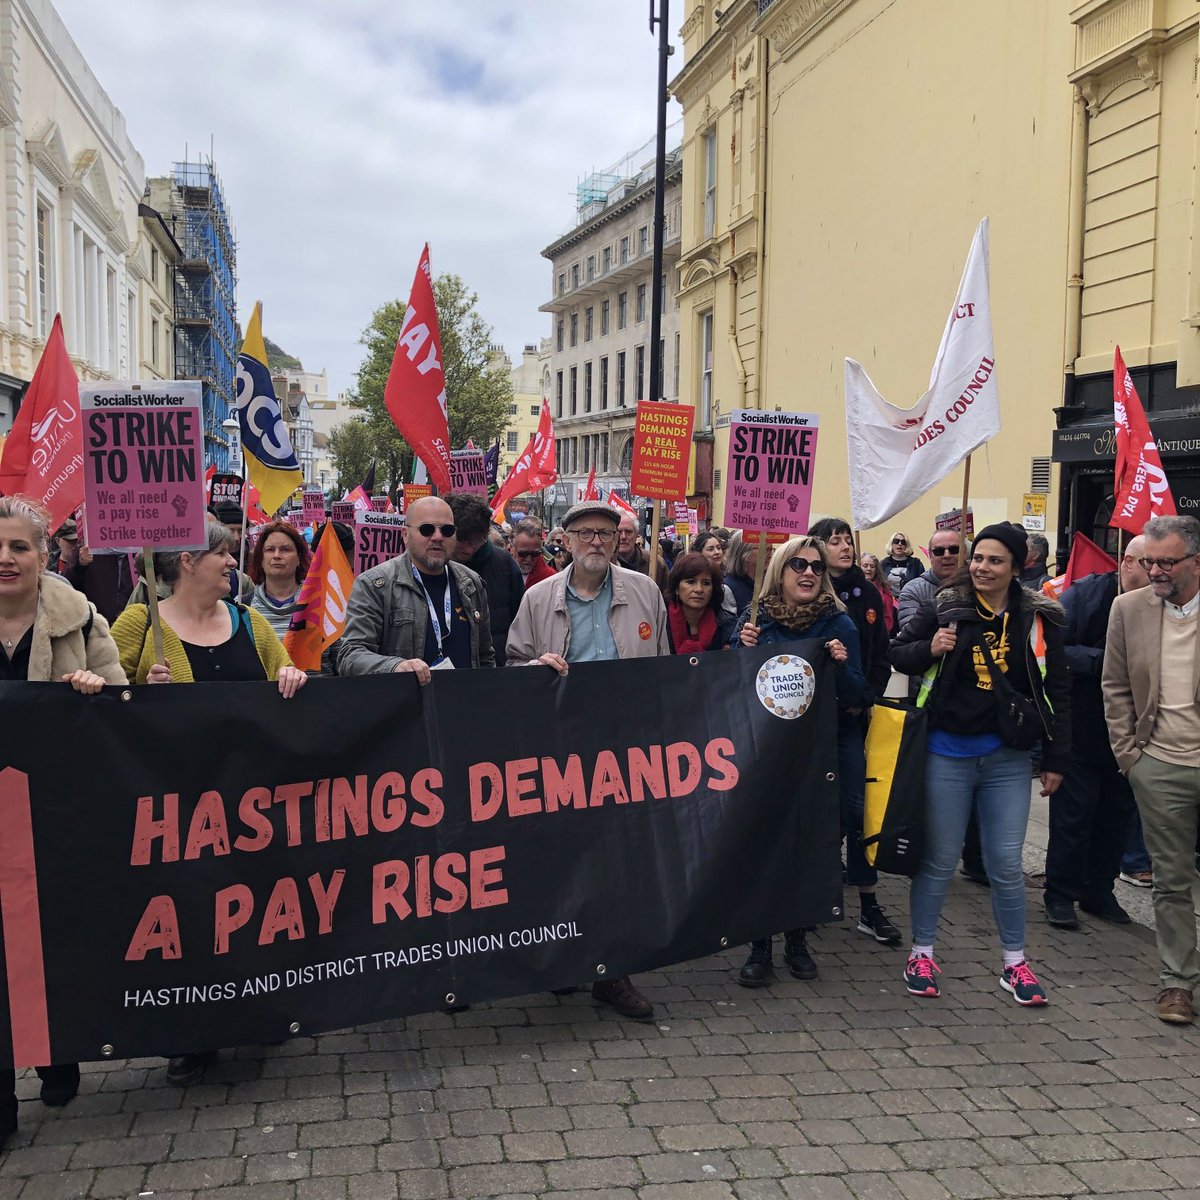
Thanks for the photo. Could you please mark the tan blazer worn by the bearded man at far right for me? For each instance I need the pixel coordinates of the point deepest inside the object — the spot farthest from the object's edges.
(1132, 662)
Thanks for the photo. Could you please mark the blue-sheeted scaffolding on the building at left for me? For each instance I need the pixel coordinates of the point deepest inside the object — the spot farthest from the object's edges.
(206, 297)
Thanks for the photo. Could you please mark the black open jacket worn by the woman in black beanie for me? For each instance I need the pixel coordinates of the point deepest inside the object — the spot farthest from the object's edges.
(911, 655)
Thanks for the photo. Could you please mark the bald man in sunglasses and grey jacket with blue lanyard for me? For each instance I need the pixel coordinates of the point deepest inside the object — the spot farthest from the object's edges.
(421, 613)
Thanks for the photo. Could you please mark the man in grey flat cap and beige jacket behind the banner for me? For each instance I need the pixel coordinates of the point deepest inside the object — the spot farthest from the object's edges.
(595, 611)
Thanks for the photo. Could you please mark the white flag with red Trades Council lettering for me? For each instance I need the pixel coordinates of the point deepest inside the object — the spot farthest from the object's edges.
(899, 454)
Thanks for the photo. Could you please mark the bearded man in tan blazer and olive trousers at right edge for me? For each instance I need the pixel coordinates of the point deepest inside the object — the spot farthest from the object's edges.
(1153, 707)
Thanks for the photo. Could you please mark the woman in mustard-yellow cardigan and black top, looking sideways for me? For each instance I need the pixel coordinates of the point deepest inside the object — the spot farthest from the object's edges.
(207, 638)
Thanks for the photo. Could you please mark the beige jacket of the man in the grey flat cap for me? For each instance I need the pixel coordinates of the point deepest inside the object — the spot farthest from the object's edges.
(638, 619)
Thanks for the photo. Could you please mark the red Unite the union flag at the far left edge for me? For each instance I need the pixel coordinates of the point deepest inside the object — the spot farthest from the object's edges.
(44, 454)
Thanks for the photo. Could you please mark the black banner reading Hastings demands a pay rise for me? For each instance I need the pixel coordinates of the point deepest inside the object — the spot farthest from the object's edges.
(221, 867)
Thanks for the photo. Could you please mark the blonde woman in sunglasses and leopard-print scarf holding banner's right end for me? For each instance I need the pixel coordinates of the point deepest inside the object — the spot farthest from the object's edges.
(799, 603)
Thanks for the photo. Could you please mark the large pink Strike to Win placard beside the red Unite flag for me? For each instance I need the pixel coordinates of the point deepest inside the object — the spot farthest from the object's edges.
(145, 471)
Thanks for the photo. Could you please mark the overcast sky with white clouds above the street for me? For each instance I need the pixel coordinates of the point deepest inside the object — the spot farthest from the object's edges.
(350, 134)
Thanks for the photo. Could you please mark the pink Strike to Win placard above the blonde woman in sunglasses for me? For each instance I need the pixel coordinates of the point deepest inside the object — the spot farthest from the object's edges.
(769, 483)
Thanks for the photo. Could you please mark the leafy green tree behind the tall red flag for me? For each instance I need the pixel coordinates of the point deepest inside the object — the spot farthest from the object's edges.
(478, 398)
